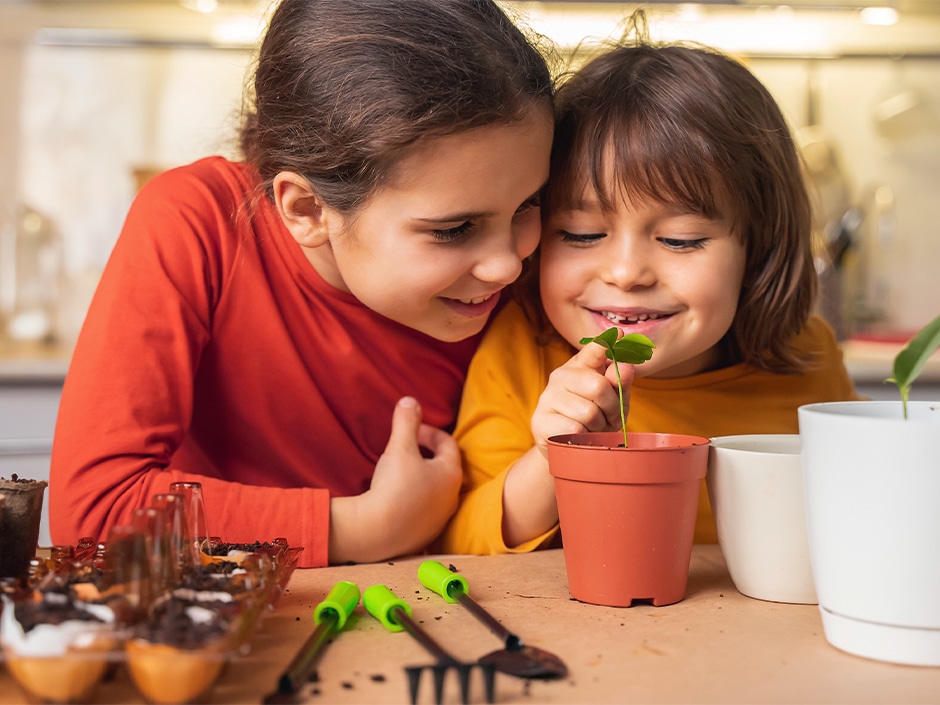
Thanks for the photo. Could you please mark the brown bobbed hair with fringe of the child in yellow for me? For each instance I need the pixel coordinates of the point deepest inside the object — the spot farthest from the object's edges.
(688, 126)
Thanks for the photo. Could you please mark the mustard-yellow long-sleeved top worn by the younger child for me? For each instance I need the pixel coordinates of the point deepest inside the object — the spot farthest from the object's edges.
(510, 370)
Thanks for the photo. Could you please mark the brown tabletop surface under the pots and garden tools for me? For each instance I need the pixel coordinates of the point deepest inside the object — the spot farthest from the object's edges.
(716, 646)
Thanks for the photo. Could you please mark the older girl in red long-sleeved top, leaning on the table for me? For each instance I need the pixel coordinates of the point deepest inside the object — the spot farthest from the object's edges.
(293, 330)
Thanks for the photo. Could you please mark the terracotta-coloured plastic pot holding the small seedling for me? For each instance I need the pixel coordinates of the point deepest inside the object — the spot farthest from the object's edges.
(627, 514)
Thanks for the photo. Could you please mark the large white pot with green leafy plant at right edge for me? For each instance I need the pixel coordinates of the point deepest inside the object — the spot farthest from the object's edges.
(872, 482)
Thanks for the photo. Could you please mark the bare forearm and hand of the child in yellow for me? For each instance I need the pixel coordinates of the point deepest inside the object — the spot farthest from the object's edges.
(581, 395)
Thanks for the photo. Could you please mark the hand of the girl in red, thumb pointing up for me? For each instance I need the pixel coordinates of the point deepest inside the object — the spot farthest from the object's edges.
(411, 496)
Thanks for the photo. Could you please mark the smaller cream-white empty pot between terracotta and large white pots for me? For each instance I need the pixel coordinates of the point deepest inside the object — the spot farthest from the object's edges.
(755, 485)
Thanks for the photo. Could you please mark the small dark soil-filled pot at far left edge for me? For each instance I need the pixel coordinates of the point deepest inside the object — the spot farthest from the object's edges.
(19, 524)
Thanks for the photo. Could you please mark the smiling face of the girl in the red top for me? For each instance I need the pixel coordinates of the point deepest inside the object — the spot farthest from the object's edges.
(434, 248)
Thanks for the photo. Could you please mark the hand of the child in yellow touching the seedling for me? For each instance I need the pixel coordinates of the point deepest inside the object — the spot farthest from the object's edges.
(581, 395)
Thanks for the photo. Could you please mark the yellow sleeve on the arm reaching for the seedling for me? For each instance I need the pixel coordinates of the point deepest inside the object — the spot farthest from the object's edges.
(505, 379)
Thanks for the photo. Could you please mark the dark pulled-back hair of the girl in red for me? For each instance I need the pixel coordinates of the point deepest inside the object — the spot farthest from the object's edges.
(343, 88)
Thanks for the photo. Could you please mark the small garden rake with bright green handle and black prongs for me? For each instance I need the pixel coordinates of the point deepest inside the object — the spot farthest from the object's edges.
(395, 615)
